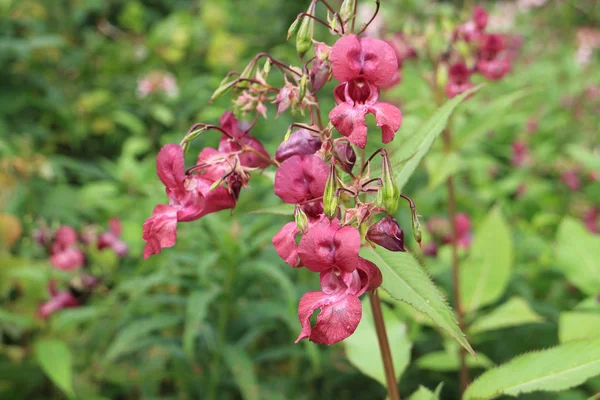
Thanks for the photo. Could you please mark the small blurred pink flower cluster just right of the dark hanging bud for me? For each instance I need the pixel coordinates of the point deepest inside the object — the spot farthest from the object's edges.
(440, 230)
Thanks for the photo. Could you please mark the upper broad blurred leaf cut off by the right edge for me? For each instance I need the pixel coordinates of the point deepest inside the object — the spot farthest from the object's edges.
(578, 252)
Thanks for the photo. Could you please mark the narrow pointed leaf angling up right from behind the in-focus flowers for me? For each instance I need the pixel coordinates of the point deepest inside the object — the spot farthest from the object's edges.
(412, 151)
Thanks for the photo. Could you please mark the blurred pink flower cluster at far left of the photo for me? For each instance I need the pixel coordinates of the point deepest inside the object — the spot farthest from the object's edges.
(66, 249)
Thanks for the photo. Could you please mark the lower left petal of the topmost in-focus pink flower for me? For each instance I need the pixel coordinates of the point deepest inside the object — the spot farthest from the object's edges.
(350, 121)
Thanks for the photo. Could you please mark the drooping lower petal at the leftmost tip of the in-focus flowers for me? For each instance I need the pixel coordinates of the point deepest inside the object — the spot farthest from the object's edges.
(160, 230)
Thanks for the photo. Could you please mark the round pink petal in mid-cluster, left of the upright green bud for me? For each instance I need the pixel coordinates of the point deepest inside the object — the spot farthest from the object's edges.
(301, 178)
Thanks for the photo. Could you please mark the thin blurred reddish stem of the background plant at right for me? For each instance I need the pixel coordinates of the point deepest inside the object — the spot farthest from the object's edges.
(462, 354)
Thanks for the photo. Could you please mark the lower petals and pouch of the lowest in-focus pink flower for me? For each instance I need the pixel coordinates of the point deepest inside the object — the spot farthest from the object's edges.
(339, 303)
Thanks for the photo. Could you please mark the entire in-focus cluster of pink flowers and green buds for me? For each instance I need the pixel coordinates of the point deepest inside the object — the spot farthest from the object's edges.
(337, 208)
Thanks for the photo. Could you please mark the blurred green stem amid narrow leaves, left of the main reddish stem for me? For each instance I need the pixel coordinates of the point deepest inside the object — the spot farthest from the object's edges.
(221, 330)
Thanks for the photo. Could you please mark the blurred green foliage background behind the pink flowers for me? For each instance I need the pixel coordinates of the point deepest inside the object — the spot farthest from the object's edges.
(78, 141)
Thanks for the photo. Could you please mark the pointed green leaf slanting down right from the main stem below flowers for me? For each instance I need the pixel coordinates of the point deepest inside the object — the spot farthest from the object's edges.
(405, 280)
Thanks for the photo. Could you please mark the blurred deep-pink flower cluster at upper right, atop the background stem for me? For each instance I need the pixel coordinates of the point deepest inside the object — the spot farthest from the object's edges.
(473, 50)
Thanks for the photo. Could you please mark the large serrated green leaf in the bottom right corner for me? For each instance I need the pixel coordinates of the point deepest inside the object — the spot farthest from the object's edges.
(558, 368)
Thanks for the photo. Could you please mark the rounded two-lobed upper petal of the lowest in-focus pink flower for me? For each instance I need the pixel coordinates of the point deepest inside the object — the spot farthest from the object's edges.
(328, 245)
